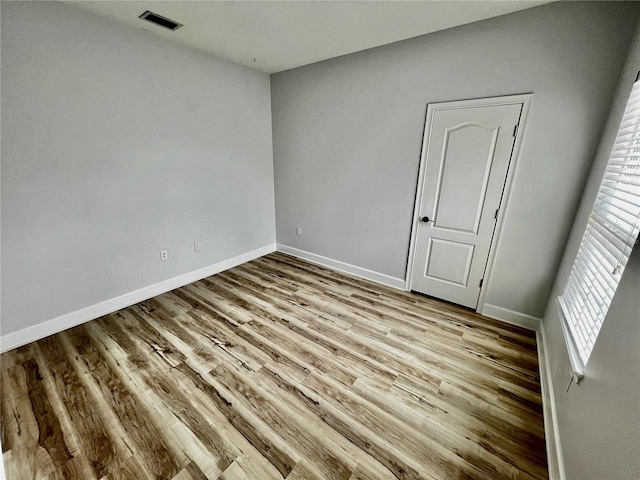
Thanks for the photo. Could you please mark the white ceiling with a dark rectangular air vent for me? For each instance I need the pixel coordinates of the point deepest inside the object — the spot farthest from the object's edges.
(273, 36)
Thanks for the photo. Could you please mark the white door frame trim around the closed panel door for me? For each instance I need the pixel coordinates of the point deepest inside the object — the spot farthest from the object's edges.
(525, 100)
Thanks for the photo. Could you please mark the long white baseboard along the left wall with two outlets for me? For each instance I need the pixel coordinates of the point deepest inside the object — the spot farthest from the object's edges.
(36, 332)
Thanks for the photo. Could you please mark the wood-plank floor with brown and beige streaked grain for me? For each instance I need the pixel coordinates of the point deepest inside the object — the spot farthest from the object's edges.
(277, 369)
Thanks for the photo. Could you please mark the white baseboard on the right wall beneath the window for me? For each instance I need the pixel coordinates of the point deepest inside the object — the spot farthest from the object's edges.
(551, 430)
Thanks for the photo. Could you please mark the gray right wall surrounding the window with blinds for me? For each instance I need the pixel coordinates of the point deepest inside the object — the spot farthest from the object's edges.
(599, 420)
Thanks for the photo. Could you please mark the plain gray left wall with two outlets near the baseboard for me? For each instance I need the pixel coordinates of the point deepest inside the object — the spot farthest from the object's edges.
(115, 145)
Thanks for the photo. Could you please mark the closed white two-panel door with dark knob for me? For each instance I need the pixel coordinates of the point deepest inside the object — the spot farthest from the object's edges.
(465, 159)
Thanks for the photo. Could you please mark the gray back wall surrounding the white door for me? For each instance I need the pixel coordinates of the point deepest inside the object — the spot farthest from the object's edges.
(347, 134)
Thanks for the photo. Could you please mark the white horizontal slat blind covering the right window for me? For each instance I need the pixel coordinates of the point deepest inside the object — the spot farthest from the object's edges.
(609, 237)
